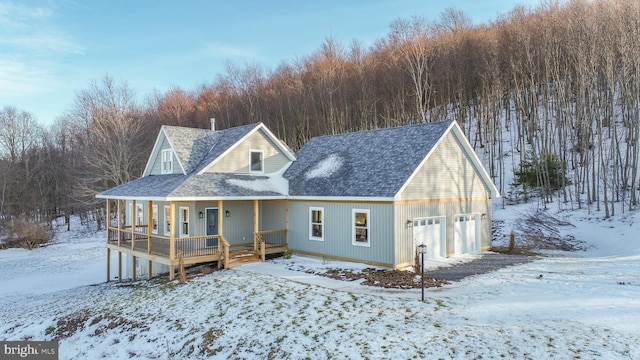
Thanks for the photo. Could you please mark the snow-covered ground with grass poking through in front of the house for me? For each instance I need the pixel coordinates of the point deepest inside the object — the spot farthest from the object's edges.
(585, 305)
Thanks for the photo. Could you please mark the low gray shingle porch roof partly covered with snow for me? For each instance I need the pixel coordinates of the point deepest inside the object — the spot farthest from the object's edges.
(205, 186)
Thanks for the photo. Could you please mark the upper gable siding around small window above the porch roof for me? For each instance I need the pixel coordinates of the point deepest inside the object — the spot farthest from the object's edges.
(237, 160)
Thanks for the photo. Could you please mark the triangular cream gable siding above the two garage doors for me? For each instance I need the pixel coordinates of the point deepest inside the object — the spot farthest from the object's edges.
(447, 174)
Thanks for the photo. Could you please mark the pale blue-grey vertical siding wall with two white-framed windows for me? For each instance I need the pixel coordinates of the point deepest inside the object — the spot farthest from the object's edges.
(338, 231)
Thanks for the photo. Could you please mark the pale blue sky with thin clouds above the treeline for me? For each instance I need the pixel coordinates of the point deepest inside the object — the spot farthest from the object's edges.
(49, 50)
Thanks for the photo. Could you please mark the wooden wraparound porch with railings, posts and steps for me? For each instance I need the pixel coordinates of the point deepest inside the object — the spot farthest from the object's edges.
(142, 241)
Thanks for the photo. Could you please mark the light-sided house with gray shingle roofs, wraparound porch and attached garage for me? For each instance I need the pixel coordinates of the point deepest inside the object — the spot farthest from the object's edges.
(369, 196)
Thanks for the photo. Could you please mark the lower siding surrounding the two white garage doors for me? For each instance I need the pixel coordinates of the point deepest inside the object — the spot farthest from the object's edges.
(406, 211)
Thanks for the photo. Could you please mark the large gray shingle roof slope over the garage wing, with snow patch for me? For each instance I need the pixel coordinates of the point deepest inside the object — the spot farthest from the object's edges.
(374, 163)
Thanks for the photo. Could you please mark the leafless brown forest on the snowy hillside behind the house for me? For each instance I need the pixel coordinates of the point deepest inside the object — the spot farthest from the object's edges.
(554, 85)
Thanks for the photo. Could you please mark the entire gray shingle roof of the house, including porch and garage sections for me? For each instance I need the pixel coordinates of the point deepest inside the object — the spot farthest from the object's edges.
(373, 163)
